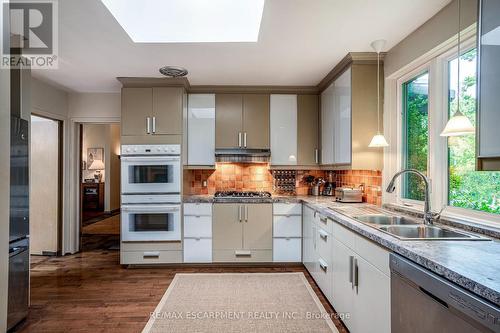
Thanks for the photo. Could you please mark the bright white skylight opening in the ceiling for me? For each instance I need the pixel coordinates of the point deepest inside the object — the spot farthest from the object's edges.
(188, 21)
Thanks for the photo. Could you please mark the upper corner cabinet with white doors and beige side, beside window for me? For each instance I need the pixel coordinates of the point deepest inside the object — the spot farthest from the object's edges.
(349, 119)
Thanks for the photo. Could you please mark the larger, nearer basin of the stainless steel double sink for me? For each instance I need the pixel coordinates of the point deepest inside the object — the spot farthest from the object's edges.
(427, 232)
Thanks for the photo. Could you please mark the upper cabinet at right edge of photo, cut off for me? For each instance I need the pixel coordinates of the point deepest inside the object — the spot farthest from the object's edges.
(489, 86)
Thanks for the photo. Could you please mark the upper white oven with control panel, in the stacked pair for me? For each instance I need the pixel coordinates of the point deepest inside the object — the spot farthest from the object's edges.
(150, 169)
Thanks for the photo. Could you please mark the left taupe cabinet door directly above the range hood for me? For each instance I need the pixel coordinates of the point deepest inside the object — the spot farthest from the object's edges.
(228, 120)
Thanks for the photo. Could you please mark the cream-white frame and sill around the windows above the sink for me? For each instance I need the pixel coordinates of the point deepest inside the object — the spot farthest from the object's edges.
(435, 62)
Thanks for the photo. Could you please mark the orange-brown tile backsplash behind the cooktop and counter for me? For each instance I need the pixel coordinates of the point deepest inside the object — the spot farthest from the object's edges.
(258, 177)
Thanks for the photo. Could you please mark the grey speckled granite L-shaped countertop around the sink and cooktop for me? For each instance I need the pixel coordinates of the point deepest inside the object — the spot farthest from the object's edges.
(473, 265)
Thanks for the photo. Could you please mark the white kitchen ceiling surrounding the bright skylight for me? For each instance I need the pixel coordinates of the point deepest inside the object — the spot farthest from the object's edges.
(300, 41)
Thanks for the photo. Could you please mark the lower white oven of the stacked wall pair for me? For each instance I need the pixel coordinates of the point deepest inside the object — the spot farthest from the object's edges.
(150, 222)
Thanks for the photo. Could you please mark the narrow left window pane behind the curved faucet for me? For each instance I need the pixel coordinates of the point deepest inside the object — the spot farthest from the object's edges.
(415, 134)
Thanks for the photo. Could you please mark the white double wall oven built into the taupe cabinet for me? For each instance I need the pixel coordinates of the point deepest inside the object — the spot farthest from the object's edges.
(151, 187)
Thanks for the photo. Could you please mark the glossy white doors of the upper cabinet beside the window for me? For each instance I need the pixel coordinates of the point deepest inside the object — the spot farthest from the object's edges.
(336, 121)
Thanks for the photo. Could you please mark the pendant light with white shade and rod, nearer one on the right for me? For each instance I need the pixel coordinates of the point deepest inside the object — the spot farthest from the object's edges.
(459, 124)
